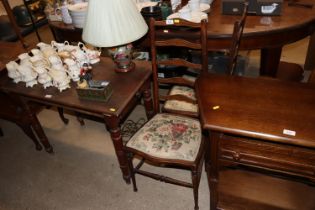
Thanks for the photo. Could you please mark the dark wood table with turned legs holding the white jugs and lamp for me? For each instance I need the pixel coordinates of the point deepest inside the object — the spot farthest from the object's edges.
(128, 89)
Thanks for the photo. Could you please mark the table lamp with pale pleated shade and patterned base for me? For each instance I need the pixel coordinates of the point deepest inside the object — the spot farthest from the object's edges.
(114, 24)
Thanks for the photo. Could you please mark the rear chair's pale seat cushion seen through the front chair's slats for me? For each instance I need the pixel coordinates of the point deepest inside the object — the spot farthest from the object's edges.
(182, 105)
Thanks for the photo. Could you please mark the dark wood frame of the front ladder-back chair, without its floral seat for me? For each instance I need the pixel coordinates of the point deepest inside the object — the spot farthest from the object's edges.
(194, 166)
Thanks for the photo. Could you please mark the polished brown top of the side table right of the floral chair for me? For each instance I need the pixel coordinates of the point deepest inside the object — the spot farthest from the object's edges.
(258, 108)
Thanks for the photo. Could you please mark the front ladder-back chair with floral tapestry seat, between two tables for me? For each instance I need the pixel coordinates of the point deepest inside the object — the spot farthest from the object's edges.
(168, 139)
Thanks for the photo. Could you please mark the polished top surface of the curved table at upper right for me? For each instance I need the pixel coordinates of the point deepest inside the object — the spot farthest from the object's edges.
(291, 16)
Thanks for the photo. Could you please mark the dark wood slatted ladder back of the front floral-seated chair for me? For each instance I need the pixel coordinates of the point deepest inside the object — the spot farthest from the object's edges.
(199, 44)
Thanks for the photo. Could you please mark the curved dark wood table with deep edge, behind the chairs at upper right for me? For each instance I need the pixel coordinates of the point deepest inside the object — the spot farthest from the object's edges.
(293, 24)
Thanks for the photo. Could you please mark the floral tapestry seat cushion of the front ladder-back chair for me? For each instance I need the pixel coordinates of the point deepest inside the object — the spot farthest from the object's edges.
(168, 136)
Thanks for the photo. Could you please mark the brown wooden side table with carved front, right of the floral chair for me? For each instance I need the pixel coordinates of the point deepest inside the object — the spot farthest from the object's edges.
(261, 123)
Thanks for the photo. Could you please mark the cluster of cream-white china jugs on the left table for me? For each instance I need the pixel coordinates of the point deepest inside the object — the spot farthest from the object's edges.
(54, 64)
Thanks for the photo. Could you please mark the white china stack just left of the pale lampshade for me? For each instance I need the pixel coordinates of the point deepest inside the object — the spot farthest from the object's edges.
(78, 12)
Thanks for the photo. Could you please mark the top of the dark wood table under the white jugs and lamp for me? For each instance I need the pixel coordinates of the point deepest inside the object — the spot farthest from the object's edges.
(125, 86)
